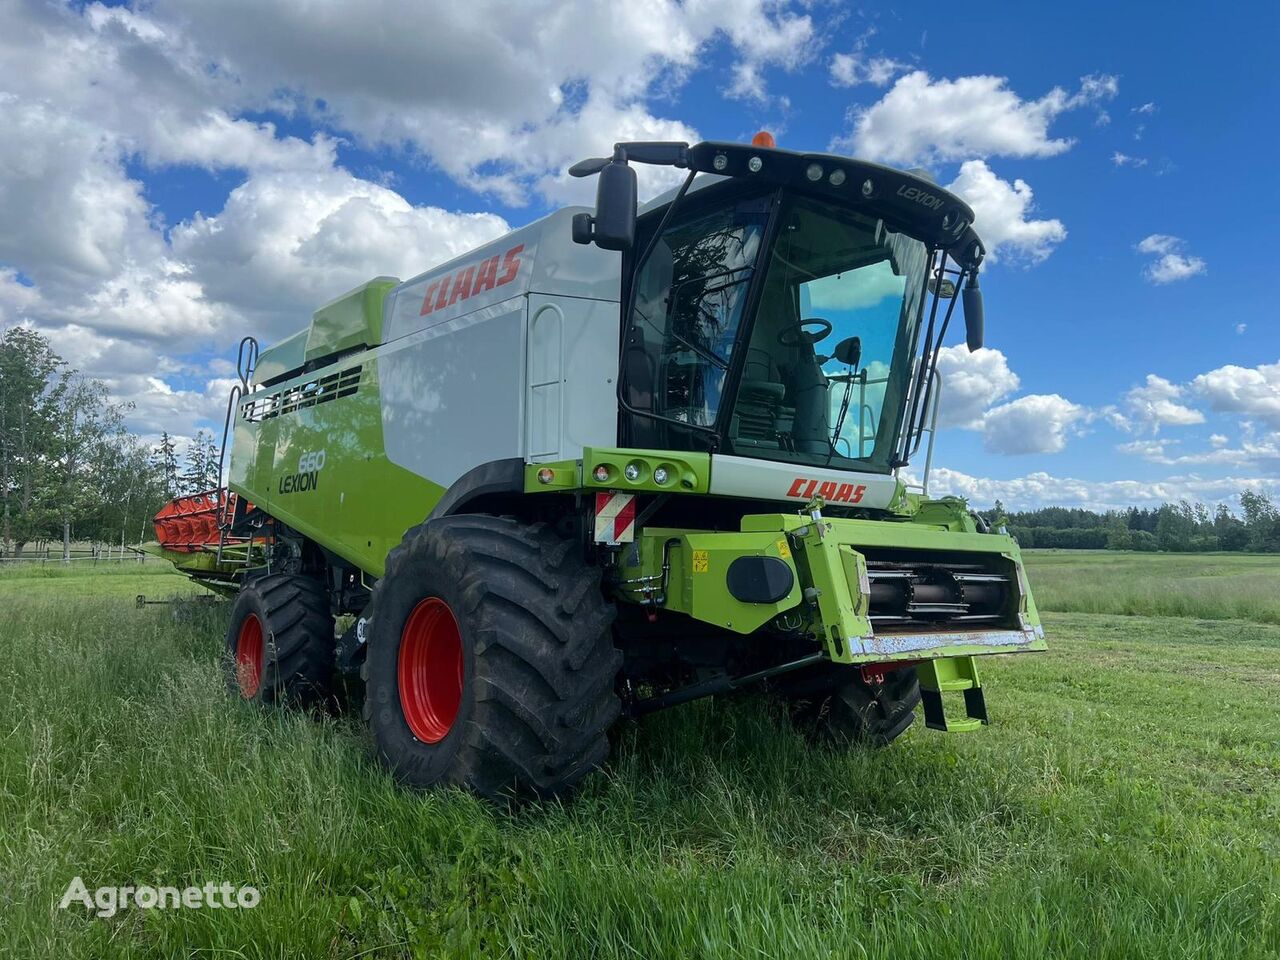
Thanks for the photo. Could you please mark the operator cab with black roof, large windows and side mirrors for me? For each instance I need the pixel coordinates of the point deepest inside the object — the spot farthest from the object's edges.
(778, 310)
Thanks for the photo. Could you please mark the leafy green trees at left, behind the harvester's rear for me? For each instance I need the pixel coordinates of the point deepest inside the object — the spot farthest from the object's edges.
(70, 470)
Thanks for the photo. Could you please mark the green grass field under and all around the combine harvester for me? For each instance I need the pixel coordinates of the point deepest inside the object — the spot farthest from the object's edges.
(1124, 803)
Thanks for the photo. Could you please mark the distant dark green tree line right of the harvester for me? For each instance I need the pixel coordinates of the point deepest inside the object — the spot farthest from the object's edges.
(1183, 527)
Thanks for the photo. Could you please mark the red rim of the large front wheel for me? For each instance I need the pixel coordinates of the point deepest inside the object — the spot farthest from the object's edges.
(431, 670)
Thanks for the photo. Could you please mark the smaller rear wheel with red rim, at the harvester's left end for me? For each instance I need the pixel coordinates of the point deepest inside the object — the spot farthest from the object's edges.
(281, 643)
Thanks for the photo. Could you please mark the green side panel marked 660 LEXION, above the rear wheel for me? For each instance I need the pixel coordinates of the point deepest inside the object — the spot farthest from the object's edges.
(324, 472)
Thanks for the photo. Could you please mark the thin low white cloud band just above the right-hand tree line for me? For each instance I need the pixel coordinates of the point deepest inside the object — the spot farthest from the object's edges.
(1043, 490)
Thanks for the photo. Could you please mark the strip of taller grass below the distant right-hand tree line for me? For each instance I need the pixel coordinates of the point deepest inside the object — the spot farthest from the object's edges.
(1212, 587)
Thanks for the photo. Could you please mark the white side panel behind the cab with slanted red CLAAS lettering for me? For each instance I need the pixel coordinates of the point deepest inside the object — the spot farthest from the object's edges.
(509, 351)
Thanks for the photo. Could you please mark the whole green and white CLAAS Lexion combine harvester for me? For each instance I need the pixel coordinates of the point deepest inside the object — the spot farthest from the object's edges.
(616, 461)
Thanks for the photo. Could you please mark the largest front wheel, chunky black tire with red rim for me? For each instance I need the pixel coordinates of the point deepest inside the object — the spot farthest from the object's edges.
(491, 660)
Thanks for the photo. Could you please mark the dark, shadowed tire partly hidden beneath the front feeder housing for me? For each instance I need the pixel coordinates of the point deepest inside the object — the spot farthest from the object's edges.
(857, 712)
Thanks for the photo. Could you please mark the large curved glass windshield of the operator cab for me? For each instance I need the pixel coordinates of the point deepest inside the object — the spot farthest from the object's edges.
(821, 368)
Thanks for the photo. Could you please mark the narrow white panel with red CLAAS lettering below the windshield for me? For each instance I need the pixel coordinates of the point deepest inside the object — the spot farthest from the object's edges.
(798, 483)
